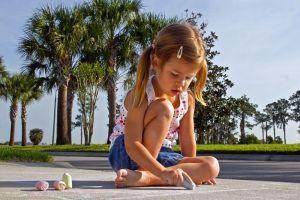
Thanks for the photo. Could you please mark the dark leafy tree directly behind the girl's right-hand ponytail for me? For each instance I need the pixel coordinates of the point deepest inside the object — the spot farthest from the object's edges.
(214, 121)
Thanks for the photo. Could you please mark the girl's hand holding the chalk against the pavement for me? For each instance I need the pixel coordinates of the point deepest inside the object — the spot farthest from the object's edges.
(172, 176)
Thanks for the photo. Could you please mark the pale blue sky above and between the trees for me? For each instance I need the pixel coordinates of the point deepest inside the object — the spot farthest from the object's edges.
(258, 41)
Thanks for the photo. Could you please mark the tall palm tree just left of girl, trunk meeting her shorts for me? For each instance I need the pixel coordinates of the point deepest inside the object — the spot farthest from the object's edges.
(112, 18)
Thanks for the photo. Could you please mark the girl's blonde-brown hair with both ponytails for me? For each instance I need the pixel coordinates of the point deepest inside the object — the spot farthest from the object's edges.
(166, 44)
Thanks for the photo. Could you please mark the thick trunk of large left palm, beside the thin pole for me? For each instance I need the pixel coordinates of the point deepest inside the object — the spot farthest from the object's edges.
(62, 123)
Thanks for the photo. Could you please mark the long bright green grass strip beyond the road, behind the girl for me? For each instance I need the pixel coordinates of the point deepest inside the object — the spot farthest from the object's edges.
(218, 148)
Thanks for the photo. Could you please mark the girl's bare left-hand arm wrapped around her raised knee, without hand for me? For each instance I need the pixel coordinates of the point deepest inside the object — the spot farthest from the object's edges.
(133, 138)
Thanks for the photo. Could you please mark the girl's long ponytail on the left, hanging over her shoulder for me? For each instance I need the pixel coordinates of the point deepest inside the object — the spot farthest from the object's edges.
(143, 69)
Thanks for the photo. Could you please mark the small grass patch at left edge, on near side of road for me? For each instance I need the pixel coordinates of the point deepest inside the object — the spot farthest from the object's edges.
(14, 154)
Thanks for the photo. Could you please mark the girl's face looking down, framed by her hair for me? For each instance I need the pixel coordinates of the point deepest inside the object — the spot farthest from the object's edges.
(175, 76)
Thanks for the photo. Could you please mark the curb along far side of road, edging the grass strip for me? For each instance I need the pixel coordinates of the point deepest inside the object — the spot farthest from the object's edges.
(219, 156)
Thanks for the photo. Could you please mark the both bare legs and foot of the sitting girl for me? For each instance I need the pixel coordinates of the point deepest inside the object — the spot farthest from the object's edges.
(157, 122)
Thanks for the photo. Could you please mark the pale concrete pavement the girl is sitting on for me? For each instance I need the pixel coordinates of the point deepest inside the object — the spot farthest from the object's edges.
(93, 179)
